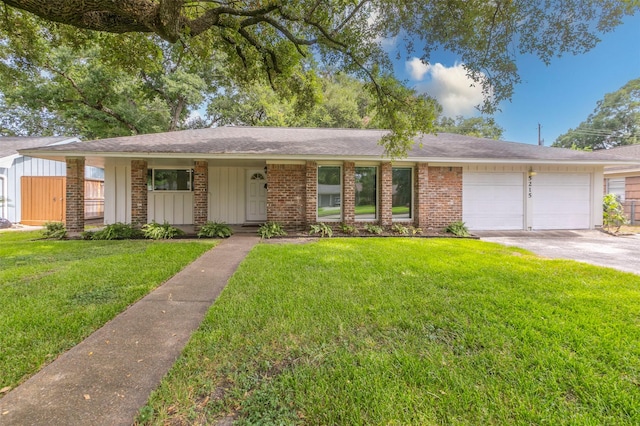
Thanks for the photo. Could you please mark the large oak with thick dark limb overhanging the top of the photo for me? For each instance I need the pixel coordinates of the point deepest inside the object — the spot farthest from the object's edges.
(269, 39)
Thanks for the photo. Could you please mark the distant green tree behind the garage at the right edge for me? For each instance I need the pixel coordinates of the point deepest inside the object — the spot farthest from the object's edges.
(615, 121)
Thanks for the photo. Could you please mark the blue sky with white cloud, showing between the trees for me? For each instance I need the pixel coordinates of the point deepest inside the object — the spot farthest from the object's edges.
(558, 96)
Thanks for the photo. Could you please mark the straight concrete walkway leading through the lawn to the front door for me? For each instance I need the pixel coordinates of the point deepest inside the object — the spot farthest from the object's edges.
(105, 379)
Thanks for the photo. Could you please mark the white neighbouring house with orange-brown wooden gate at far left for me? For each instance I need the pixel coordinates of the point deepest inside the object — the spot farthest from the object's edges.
(32, 190)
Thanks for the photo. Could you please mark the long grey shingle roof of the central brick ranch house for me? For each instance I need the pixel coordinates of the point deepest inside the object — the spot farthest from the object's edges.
(313, 143)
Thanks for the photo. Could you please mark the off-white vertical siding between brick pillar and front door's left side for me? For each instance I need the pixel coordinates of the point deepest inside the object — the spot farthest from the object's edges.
(227, 197)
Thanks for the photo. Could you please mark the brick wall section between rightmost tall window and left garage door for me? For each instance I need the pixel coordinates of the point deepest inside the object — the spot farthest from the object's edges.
(444, 196)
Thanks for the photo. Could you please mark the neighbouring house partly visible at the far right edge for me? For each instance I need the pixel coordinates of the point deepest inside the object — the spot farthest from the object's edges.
(624, 181)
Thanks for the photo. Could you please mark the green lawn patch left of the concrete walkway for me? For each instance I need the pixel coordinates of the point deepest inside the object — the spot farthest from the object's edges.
(53, 294)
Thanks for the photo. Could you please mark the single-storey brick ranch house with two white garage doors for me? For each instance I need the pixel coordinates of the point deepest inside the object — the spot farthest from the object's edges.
(245, 175)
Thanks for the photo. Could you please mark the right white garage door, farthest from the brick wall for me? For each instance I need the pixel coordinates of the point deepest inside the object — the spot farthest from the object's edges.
(561, 201)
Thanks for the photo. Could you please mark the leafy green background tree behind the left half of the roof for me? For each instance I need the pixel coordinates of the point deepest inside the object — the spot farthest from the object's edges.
(84, 86)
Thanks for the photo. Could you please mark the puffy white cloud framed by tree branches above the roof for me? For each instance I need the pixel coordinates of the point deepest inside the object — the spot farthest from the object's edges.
(457, 93)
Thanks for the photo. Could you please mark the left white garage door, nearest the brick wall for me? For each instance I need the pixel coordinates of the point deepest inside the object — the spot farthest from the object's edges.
(493, 201)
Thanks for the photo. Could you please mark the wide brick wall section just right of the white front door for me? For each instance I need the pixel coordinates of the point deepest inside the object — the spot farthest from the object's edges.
(286, 194)
